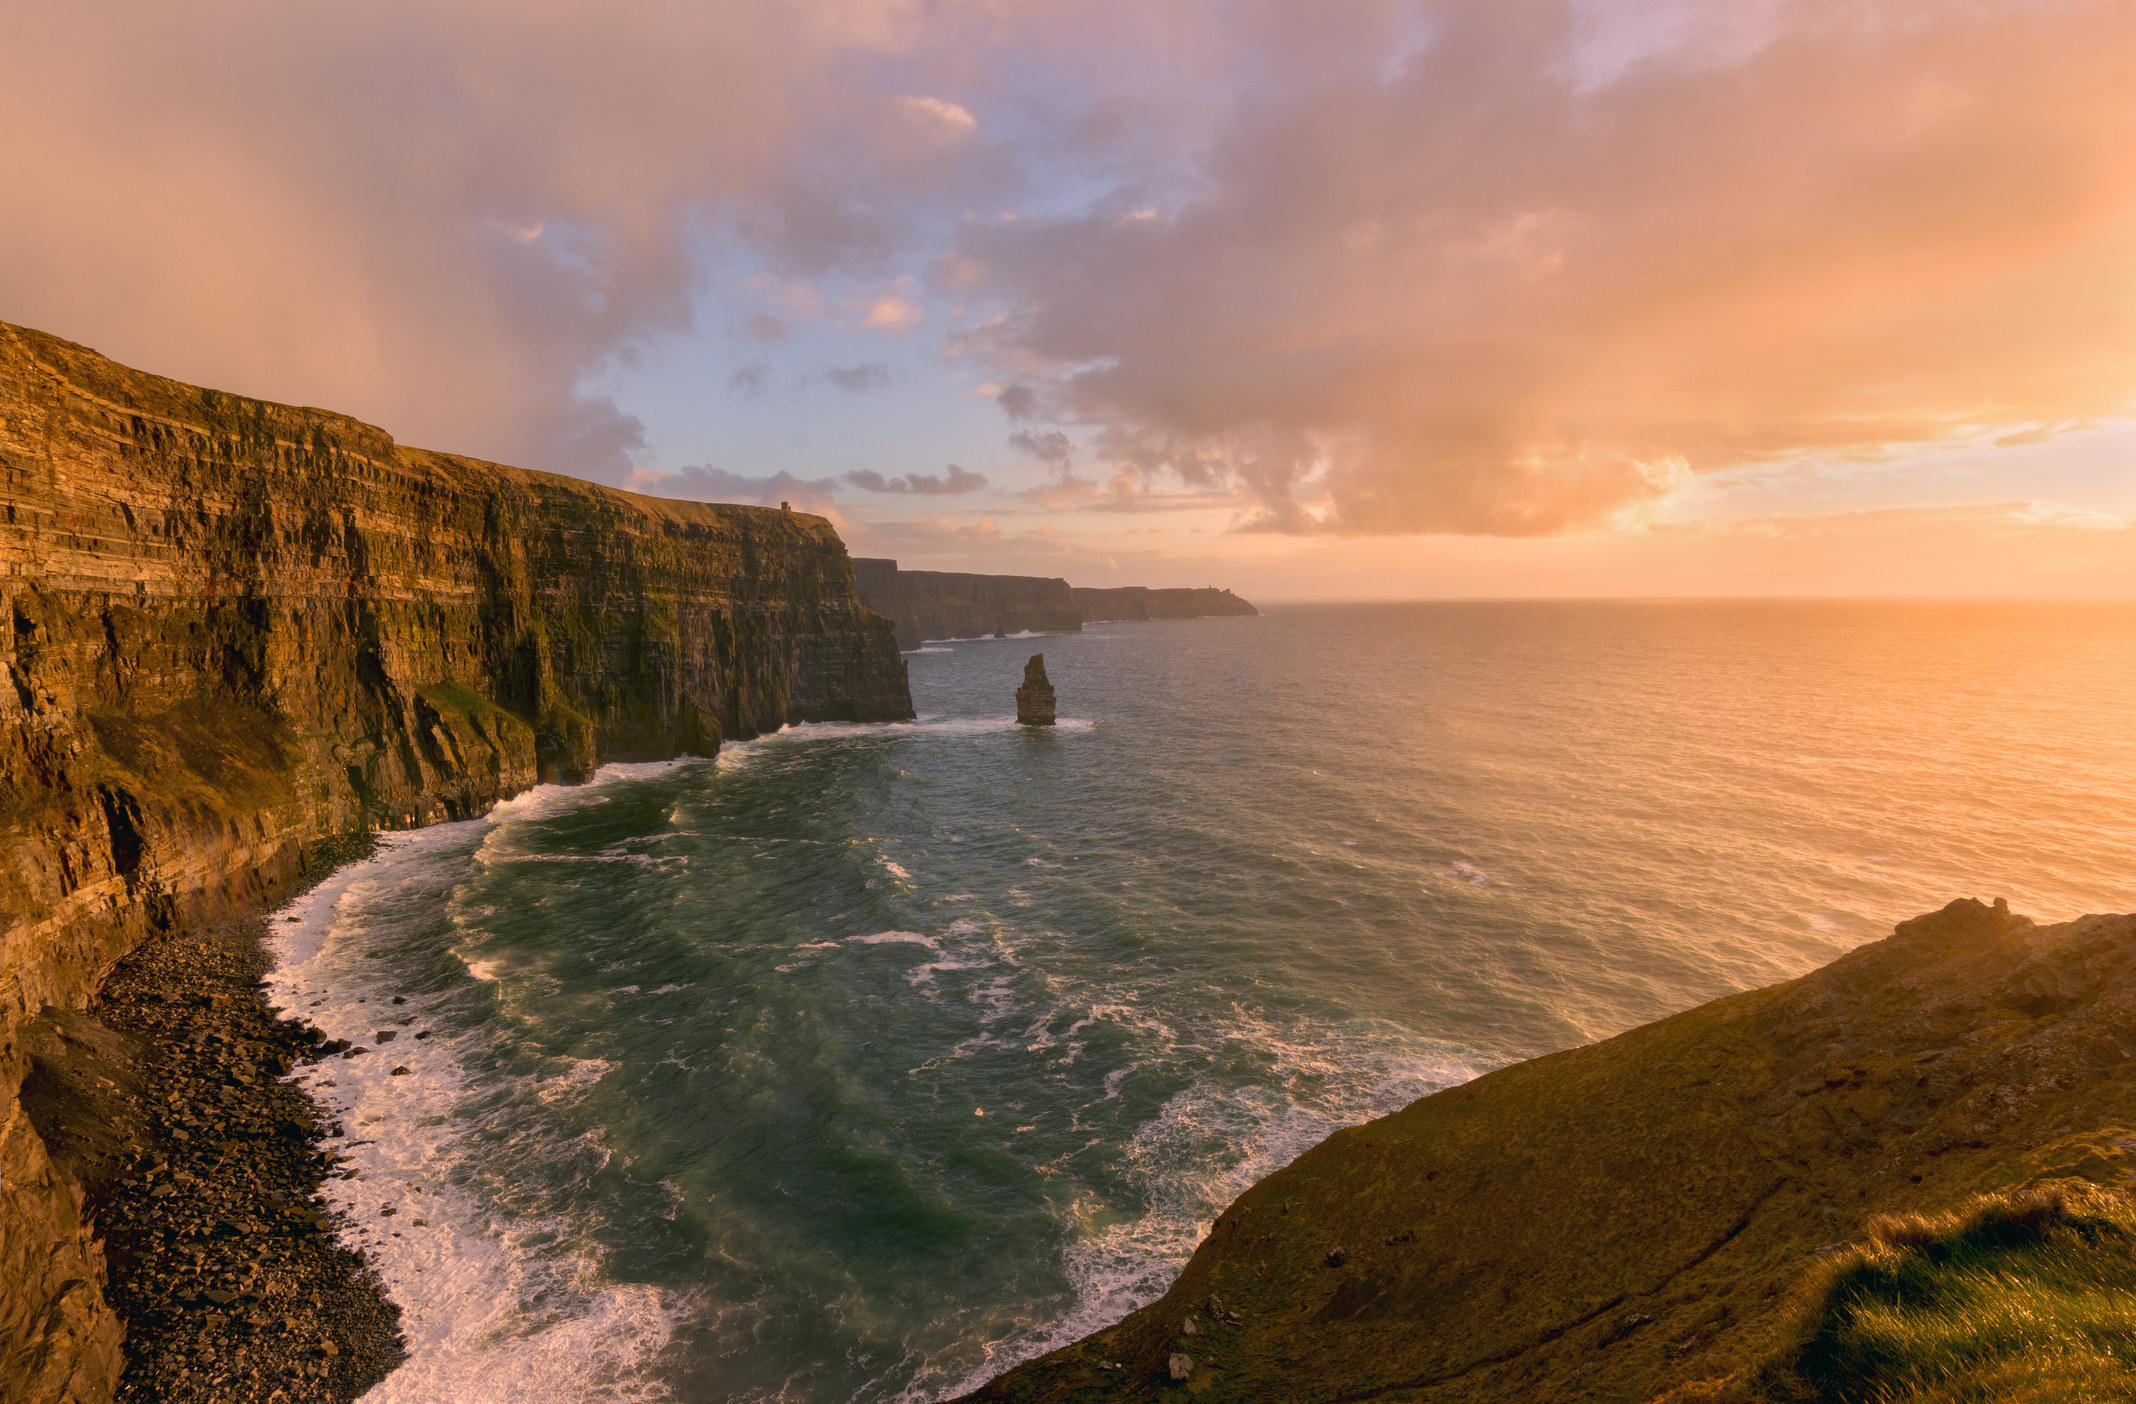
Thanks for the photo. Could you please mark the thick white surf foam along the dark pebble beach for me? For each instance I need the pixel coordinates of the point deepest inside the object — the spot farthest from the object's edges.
(497, 1307)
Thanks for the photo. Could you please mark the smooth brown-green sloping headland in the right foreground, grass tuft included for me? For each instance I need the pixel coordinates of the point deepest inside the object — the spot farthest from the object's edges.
(1718, 1206)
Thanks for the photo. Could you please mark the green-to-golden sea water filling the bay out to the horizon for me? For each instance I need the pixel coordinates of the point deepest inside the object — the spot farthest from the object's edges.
(868, 1061)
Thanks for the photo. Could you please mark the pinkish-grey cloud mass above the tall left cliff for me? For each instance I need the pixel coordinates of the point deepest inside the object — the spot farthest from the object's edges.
(445, 225)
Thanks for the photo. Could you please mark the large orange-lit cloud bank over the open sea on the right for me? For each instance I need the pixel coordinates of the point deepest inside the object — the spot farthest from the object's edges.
(1518, 285)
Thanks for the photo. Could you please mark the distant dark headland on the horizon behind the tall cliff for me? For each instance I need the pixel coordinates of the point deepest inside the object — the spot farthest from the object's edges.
(956, 606)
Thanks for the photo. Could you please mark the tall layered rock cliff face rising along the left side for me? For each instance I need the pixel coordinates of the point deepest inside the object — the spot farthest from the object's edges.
(232, 629)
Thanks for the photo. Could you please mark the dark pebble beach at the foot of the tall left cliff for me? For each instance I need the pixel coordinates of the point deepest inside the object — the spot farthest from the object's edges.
(202, 1172)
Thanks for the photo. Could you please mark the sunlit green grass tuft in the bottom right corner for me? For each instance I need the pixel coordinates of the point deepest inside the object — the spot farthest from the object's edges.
(2028, 1300)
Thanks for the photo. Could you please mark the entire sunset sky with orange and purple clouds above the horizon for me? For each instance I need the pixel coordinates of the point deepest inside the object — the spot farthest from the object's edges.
(1336, 300)
